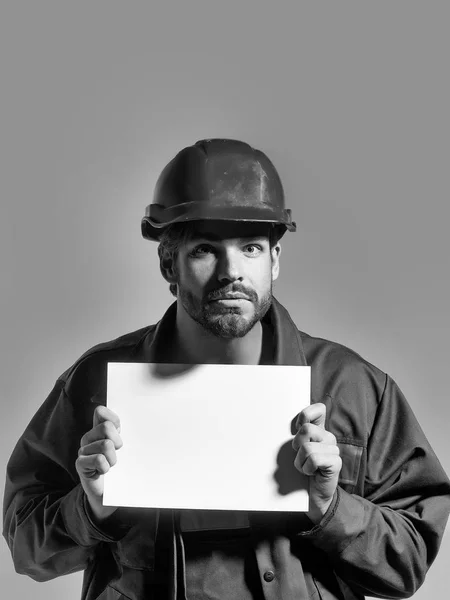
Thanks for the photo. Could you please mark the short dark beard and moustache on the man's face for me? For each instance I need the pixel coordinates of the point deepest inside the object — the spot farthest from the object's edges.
(225, 322)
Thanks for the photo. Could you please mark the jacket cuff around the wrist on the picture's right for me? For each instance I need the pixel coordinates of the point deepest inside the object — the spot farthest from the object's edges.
(340, 525)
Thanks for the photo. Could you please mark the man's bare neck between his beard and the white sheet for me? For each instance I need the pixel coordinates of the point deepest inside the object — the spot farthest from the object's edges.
(195, 345)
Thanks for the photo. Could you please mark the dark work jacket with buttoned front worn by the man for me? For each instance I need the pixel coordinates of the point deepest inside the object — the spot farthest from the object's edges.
(378, 538)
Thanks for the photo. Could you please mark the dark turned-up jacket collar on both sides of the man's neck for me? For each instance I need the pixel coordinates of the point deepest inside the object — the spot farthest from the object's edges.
(287, 341)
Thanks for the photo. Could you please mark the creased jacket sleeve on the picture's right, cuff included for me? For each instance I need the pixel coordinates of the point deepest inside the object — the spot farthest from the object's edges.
(382, 544)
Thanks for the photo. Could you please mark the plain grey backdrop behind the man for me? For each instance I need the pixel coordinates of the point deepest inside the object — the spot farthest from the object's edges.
(349, 99)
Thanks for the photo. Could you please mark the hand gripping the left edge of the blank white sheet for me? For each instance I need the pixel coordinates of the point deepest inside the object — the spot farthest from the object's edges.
(97, 454)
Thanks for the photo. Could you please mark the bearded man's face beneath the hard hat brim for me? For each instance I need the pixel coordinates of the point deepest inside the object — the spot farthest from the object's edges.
(224, 275)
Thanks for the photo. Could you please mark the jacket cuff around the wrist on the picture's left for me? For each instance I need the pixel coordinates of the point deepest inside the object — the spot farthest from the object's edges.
(80, 524)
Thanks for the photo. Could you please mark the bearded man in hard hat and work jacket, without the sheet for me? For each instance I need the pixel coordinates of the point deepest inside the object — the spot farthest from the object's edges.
(379, 499)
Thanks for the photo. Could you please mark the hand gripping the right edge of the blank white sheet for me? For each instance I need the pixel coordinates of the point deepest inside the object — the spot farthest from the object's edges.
(318, 457)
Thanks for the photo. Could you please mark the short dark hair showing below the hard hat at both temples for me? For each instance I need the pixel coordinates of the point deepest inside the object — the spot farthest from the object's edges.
(175, 235)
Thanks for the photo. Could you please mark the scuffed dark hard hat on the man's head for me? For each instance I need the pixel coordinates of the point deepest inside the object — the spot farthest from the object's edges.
(217, 179)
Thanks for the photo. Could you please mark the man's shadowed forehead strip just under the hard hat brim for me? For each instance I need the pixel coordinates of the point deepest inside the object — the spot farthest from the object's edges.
(223, 230)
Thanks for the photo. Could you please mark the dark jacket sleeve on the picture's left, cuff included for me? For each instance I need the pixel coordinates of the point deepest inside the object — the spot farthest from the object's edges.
(47, 525)
